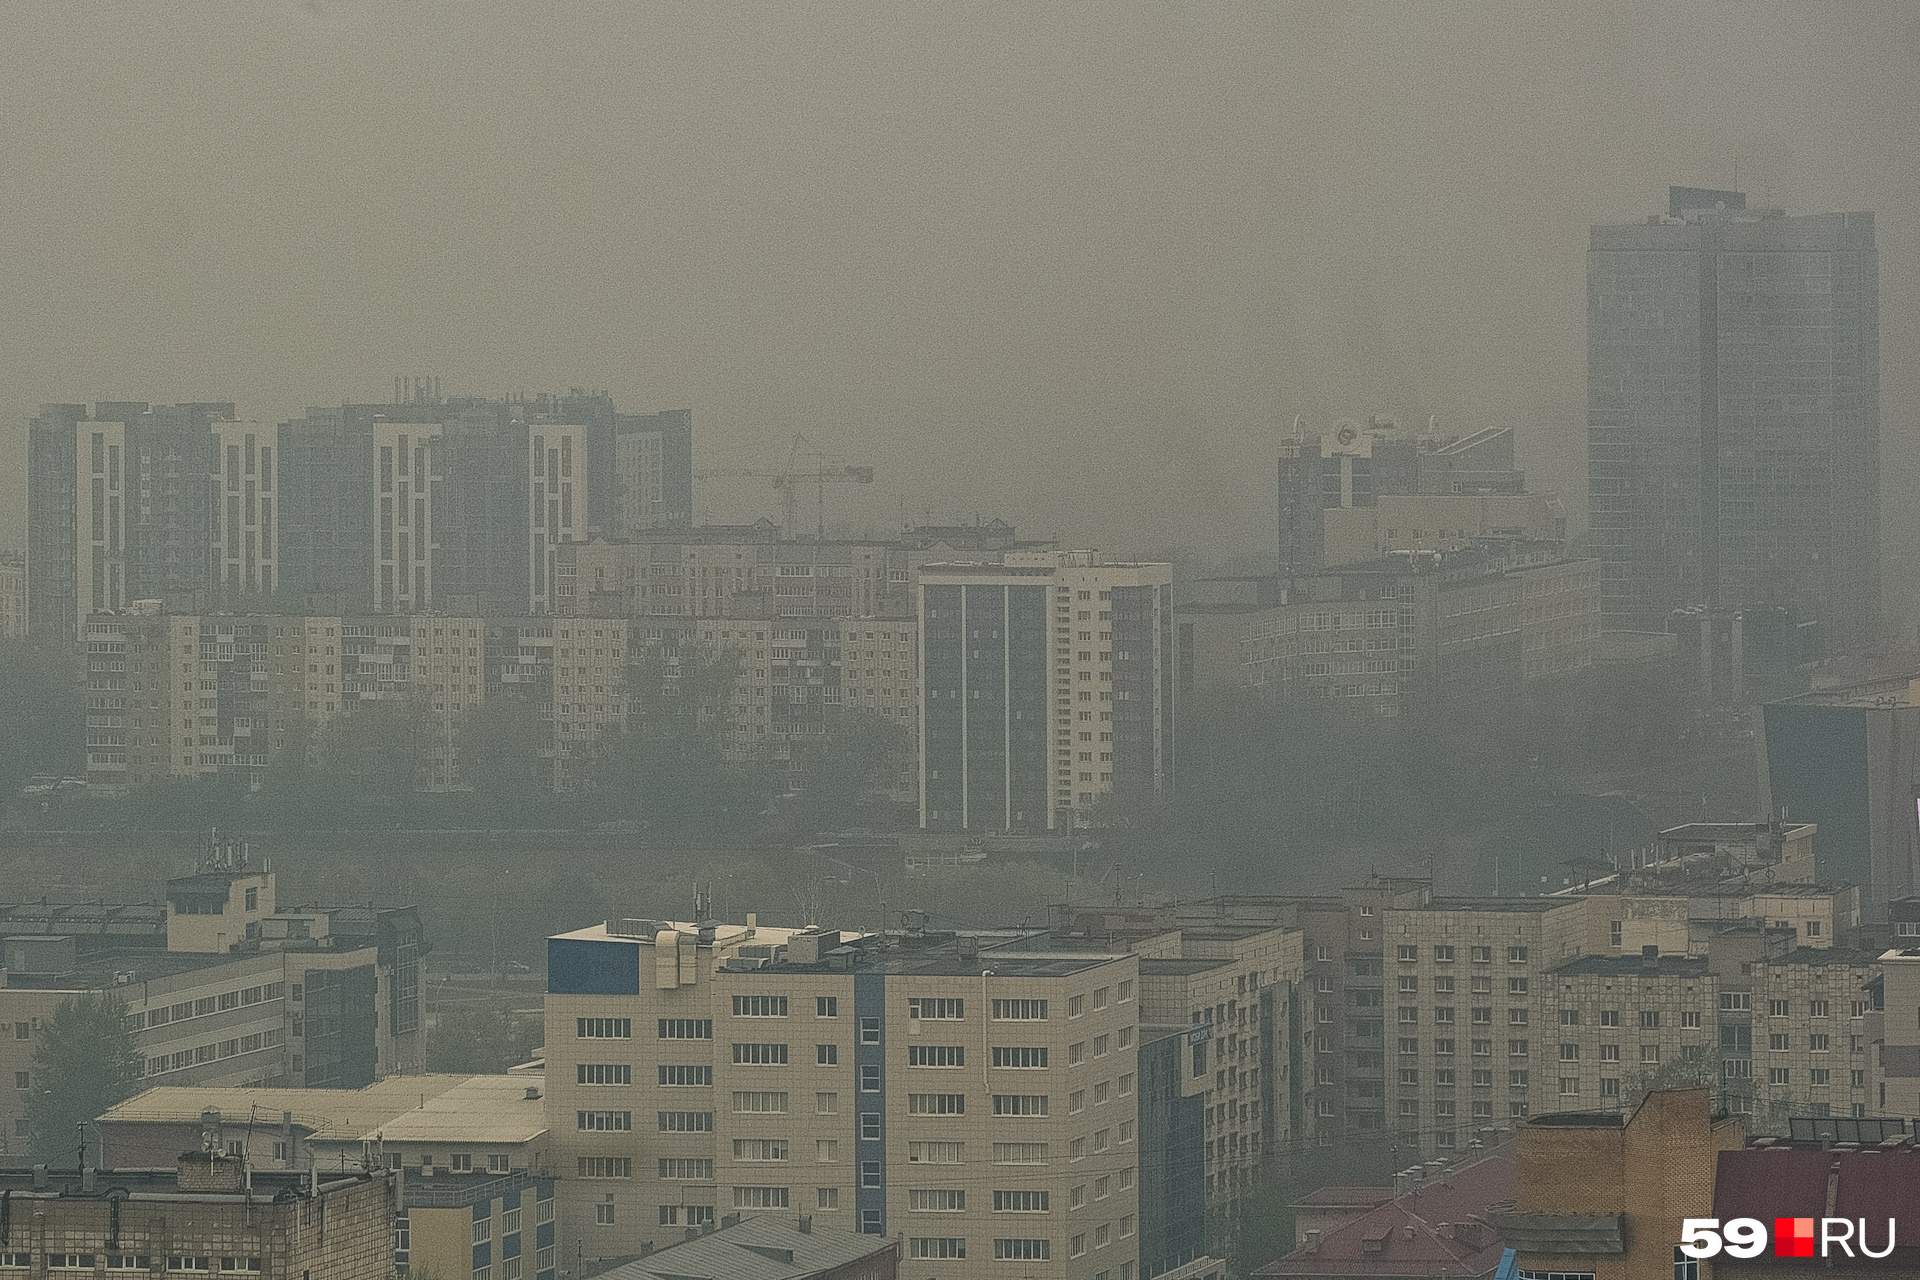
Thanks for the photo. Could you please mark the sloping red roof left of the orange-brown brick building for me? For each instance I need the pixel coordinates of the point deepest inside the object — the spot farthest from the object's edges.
(1439, 1229)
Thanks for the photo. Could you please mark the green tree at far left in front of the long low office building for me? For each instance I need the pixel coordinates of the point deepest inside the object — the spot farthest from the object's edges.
(84, 1064)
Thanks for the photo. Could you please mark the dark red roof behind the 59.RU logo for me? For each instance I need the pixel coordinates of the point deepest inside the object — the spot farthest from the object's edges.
(1792, 1183)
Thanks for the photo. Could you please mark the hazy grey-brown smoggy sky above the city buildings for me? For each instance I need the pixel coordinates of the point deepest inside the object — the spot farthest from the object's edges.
(1074, 266)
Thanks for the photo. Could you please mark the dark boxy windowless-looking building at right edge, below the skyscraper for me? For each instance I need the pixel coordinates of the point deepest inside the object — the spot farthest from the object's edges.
(1848, 759)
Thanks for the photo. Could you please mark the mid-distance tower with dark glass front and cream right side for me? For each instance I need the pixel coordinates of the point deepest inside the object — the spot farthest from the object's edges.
(1047, 688)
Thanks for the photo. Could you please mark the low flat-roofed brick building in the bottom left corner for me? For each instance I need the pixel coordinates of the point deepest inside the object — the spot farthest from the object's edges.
(203, 1214)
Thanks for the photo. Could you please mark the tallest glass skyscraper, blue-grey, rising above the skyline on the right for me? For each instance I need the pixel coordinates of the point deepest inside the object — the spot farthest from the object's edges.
(1735, 414)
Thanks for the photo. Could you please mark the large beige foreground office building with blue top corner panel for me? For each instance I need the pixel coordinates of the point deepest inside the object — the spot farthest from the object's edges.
(800, 1070)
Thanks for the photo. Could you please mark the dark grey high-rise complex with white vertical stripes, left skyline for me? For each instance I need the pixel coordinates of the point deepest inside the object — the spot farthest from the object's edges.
(414, 506)
